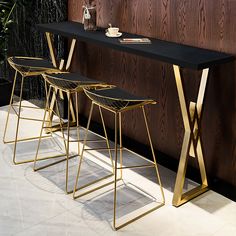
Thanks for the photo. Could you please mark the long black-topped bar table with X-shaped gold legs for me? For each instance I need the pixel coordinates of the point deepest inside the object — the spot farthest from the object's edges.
(180, 56)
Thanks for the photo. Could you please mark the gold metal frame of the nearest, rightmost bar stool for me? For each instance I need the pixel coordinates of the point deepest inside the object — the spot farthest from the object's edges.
(118, 125)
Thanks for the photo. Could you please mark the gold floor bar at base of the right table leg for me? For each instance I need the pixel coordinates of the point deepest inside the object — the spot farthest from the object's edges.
(190, 195)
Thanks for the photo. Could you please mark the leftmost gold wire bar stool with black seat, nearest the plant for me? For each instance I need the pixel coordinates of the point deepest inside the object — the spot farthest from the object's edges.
(26, 67)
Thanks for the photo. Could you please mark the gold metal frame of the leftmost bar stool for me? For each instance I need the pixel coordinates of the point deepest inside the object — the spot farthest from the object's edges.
(24, 74)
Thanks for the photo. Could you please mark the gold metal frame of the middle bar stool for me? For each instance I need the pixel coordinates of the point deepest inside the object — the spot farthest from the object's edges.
(70, 92)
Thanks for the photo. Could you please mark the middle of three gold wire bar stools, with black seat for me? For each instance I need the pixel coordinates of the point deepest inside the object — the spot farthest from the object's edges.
(72, 84)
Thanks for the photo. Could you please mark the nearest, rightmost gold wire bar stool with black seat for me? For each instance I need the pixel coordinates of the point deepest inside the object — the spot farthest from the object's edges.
(118, 101)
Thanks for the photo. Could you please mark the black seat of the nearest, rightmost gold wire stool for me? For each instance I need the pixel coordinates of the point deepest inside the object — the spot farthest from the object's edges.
(117, 99)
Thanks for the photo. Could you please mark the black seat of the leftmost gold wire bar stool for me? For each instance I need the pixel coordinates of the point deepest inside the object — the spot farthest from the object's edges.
(28, 65)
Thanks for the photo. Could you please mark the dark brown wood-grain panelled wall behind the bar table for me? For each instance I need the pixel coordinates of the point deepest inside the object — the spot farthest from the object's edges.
(203, 23)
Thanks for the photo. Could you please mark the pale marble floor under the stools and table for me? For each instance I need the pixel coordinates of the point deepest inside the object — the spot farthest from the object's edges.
(34, 203)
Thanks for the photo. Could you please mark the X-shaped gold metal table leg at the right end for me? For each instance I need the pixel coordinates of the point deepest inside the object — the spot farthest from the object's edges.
(192, 140)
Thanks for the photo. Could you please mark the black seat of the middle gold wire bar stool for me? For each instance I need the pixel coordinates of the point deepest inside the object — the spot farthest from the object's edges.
(70, 81)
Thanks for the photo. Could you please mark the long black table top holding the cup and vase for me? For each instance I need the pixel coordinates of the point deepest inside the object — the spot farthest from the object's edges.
(169, 52)
